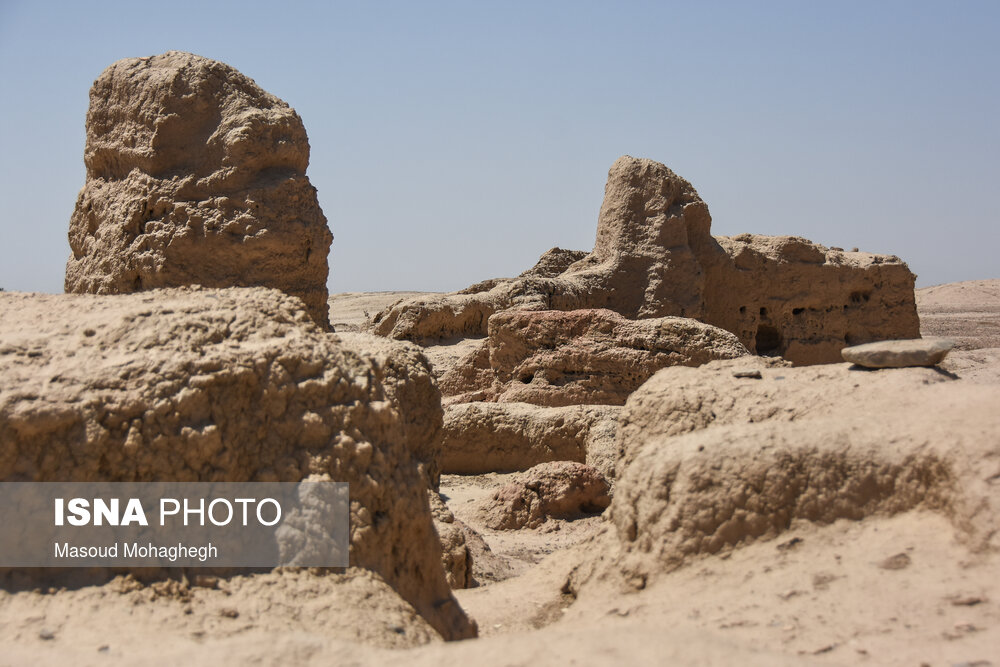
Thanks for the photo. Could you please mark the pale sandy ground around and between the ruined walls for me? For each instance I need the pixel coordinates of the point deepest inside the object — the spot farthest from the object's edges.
(899, 590)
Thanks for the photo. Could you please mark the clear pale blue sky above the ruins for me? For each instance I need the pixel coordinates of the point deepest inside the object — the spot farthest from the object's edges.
(452, 142)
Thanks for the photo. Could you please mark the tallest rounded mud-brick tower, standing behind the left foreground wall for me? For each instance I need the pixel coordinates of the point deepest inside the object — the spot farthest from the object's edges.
(195, 176)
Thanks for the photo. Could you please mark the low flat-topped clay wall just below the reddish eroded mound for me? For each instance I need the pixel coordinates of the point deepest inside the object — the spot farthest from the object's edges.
(485, 437)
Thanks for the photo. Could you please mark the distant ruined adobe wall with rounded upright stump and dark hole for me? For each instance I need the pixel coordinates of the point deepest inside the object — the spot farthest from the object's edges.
(654, 256)
